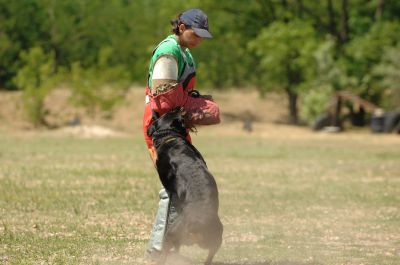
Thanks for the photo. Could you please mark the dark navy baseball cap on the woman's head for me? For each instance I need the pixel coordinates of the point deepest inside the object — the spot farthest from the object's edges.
(197, 20)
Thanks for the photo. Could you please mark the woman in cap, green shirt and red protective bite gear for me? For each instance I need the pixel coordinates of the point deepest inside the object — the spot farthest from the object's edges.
(170, 84)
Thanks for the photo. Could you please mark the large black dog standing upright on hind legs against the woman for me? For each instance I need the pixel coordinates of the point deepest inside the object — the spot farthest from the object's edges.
(184, 174)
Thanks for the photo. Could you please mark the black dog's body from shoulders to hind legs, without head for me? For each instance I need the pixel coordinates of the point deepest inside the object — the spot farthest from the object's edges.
(184, 172)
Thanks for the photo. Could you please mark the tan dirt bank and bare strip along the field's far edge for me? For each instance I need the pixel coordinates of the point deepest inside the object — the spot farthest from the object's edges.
(242, 112)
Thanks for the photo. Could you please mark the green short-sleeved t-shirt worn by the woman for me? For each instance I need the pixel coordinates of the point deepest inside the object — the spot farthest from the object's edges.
(170, 46)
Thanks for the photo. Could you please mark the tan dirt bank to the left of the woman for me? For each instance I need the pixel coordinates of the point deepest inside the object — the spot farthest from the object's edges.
(63, 116)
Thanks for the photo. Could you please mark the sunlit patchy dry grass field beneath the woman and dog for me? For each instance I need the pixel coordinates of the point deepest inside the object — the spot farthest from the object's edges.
(285, 198)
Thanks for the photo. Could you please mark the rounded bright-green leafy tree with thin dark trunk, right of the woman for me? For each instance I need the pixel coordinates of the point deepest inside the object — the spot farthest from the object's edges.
(286, 58)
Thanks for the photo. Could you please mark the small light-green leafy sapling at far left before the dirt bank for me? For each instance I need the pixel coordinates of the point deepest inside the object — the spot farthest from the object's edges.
(35, 78)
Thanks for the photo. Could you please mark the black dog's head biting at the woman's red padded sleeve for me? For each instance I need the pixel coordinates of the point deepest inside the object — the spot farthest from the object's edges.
(173, 121)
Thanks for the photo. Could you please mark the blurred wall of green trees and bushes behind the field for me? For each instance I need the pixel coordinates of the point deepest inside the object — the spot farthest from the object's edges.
(305, 50)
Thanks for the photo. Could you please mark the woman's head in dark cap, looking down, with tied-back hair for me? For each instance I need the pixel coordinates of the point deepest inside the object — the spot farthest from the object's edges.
(191, 27)
